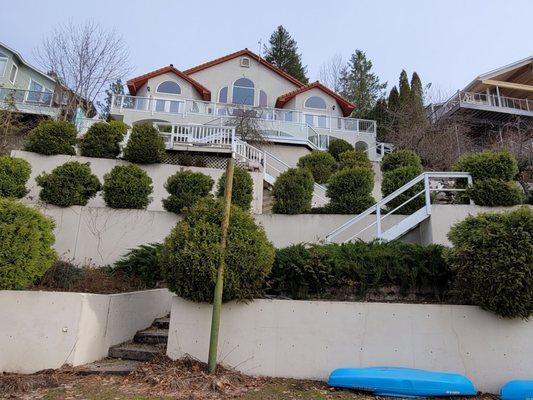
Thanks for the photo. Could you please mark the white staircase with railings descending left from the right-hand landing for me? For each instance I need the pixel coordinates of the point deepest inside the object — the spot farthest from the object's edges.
(389, 226)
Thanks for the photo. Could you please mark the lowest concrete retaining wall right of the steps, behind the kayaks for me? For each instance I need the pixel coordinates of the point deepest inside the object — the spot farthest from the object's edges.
(308, 339)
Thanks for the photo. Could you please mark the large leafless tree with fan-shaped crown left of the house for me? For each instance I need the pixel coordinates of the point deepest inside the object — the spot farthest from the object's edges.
(86, 59)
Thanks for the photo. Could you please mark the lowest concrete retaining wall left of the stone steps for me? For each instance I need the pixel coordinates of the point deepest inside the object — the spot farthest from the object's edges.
(41, 330)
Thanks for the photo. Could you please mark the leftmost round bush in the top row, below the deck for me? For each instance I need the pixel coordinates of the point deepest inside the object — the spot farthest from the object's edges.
(52, 137)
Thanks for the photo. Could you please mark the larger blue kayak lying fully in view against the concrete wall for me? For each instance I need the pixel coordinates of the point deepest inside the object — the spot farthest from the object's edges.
(402, 382)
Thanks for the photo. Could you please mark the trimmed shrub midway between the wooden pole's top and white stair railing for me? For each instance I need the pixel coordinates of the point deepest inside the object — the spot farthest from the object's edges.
(349, 190)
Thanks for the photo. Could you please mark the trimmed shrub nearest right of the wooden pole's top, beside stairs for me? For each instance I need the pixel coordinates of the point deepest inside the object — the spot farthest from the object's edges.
(293, 192)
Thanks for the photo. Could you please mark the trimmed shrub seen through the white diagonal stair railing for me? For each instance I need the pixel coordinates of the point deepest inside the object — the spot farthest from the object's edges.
(395, 179)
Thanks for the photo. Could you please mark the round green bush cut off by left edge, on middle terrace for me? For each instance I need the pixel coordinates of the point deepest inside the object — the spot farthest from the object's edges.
(14, 173)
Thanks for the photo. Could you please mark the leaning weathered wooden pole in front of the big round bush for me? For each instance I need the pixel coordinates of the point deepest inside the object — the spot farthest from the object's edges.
(217, 301)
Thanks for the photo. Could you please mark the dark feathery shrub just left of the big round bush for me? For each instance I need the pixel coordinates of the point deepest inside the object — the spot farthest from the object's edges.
(143, 263)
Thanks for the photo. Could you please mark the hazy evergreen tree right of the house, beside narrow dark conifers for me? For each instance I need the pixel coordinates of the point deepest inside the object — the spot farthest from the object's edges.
(359, 85)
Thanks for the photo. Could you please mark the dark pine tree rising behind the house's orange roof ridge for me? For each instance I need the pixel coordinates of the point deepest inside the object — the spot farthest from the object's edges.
(283, 53)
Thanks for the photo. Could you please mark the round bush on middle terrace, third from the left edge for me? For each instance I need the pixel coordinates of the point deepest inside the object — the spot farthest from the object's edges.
(127, 186)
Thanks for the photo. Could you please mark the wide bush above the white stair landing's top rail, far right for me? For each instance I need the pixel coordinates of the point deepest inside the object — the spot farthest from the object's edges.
(489, 164)
